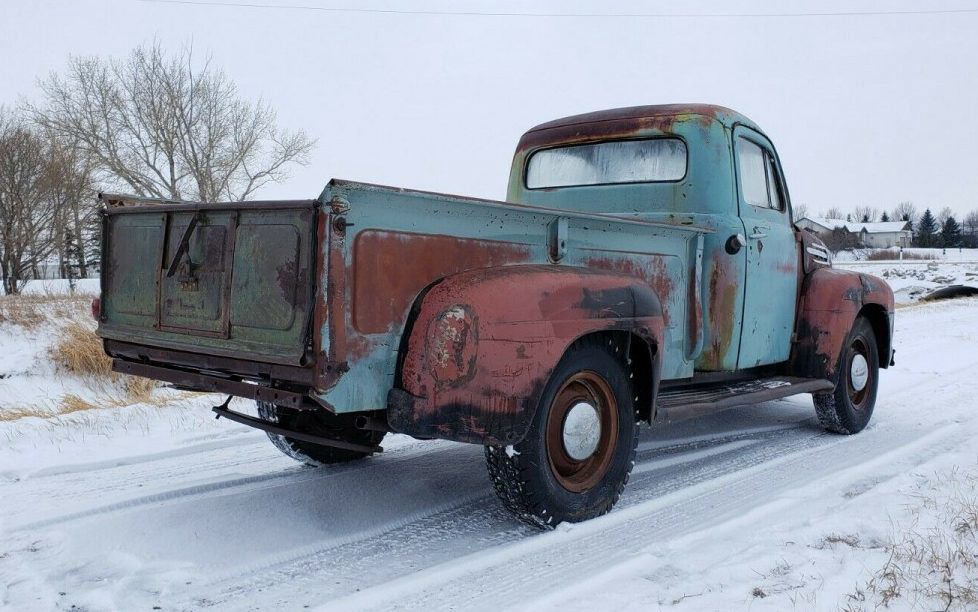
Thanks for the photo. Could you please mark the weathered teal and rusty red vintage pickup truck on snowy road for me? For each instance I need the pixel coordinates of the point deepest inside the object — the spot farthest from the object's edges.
(644, 268)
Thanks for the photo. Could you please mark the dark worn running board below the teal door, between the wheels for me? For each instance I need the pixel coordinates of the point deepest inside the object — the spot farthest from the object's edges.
(692, 402)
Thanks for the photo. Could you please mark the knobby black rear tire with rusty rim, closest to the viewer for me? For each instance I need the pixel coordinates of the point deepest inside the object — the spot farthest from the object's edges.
(537, 479)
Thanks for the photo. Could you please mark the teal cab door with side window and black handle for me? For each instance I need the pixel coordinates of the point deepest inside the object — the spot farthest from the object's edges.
(771, 288)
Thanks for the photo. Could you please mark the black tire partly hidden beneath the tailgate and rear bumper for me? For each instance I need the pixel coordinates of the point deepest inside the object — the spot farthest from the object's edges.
(337, 426)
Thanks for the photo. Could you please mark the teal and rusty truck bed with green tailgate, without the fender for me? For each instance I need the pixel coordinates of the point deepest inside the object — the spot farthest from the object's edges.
(322, 289)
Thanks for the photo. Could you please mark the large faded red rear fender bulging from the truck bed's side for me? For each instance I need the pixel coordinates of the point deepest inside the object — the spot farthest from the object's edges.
(484, 342)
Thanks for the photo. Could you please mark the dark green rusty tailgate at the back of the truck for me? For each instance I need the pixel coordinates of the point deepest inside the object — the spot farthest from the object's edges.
(233, 280)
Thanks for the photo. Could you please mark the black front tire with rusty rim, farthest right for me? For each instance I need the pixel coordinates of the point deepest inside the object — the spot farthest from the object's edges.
(847, 410)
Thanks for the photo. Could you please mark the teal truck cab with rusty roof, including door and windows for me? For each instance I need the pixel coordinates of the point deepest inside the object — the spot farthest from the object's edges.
(712, 168)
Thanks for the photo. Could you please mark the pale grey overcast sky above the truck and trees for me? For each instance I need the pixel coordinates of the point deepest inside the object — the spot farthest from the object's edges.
(864, 110)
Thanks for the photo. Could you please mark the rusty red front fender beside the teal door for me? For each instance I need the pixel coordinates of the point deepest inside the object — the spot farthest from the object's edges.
(831, 299)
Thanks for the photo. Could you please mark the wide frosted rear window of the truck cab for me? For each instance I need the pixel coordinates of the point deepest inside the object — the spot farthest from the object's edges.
(603, 163)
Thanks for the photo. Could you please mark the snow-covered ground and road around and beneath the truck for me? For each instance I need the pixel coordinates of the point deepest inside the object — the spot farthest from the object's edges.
(156, 505)
